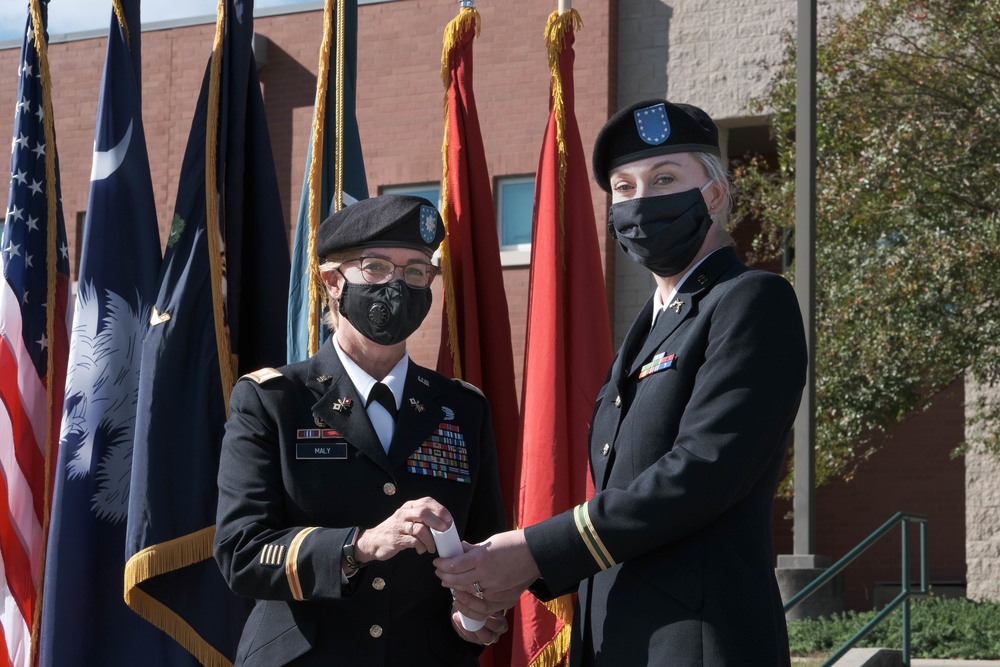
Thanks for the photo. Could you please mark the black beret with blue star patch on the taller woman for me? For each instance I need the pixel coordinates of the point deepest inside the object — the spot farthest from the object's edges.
(651, 127)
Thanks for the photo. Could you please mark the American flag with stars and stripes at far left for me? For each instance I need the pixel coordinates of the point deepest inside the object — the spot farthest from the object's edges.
(33, 344)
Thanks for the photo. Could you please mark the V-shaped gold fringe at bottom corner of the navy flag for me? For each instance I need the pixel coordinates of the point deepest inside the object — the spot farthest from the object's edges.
(160, 559)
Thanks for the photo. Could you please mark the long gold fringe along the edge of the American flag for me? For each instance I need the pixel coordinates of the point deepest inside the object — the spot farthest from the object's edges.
(52, 227)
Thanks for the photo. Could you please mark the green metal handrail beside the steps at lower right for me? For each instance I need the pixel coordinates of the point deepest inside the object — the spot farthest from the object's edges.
(903, 518)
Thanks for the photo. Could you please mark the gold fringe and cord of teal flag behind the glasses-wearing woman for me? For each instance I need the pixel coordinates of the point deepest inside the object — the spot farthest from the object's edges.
(315, 290)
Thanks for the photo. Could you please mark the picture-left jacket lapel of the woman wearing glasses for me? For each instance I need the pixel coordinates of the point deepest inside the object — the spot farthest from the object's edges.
(340, 407)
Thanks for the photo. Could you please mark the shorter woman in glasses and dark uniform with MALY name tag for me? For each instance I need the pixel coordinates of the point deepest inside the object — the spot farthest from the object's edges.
(335, 469)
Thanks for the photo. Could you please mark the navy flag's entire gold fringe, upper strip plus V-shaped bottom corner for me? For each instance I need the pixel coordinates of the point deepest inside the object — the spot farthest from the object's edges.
(189, 549)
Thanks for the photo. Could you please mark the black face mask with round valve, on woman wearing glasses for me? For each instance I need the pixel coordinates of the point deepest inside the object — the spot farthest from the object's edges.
(385, 314)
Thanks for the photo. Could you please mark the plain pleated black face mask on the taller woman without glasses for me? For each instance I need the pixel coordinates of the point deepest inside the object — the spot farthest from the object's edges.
(662, 233)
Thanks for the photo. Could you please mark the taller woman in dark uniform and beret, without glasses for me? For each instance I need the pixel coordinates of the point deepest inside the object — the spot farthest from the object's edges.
(672, 557)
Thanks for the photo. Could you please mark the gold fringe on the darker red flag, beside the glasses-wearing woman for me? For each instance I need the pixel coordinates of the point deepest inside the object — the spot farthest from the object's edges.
(468, 18)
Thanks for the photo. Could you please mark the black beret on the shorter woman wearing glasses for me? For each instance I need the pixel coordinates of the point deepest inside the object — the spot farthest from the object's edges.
(386, 221)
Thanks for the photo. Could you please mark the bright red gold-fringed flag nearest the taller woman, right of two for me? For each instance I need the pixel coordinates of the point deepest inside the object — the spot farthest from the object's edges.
(567, 348)
